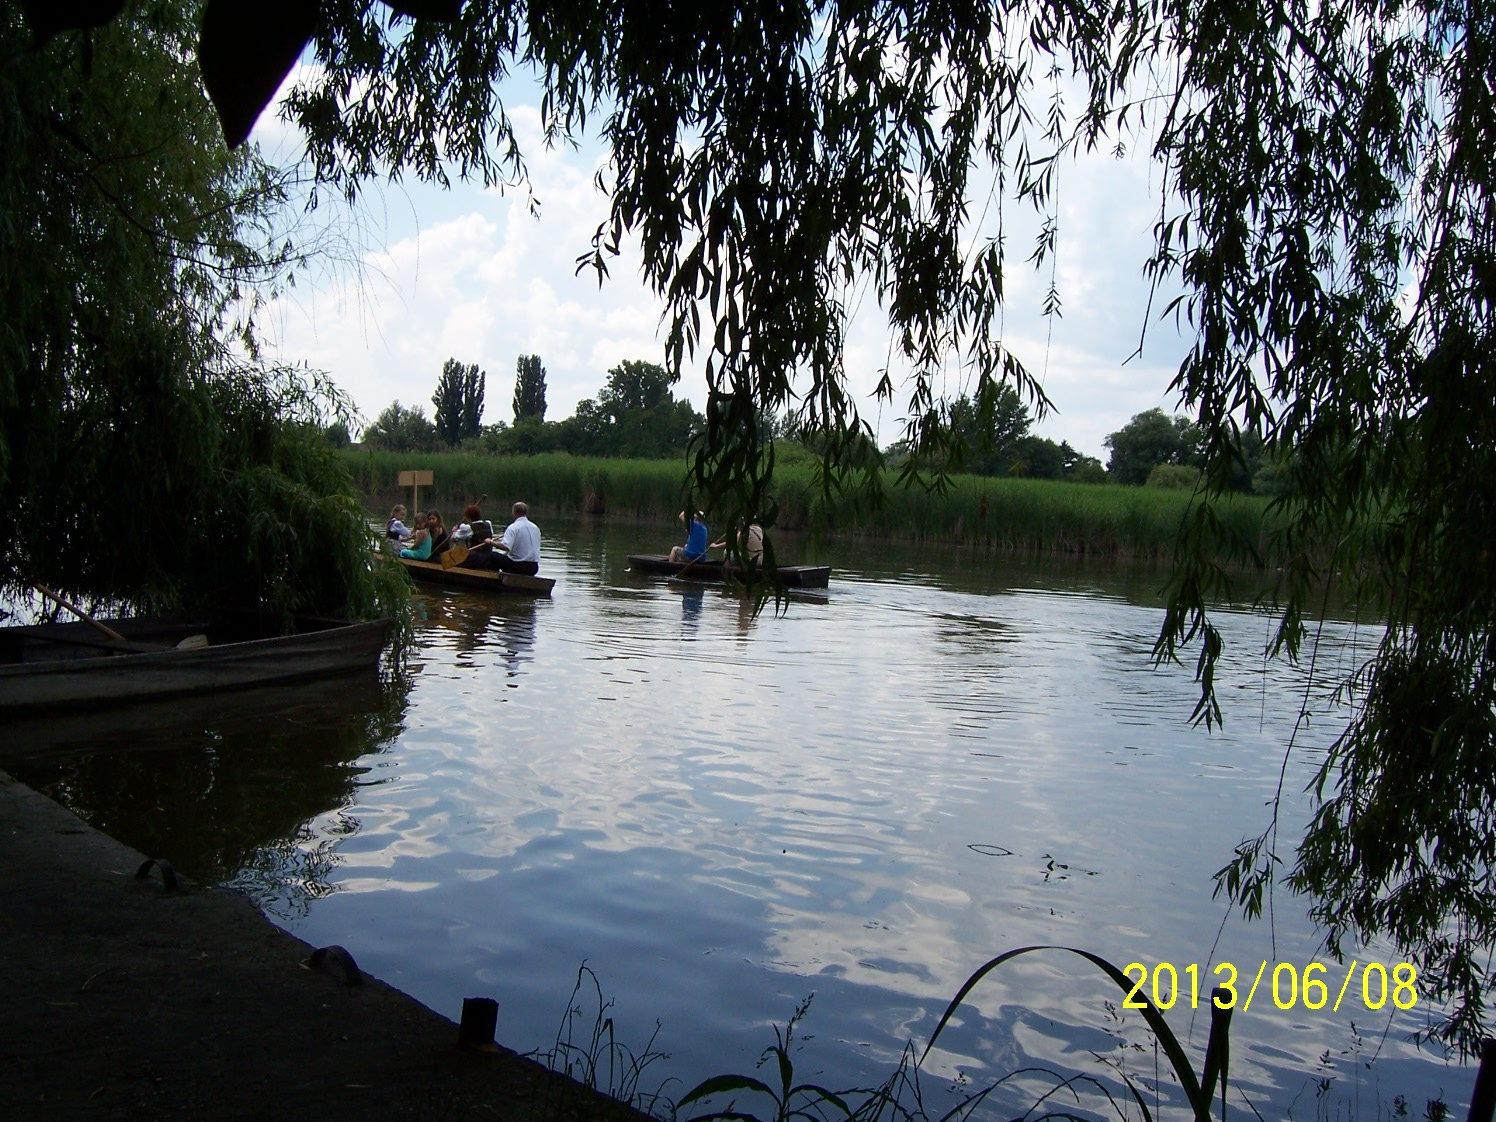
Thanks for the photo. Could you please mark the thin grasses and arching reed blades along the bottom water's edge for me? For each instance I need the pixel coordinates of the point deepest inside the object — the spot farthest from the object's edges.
(589, 1051)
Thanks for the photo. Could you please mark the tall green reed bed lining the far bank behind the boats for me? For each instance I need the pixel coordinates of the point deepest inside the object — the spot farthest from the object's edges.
(1027, 515)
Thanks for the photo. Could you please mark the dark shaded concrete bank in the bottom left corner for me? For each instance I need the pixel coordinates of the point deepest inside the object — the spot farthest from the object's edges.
(125, 1000)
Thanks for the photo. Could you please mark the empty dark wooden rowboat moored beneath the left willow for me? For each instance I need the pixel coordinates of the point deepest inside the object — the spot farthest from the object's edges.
(56, 666)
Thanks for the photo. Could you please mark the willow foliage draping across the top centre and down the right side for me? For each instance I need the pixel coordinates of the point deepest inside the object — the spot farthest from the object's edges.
(1328, 213)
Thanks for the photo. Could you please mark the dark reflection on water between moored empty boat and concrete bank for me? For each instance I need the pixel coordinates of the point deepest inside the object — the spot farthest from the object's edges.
(224, 786)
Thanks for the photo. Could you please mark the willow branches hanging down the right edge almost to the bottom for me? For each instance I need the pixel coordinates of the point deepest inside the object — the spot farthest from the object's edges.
(1340, 255)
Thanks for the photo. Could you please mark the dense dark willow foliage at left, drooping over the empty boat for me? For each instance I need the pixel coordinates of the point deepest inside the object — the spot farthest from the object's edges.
(141, 463)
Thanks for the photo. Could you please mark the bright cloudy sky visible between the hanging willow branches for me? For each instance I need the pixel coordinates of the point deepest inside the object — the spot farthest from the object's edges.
(421, 276)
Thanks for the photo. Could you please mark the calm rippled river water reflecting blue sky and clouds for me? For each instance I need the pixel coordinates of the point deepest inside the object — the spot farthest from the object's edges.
(722, 815)
